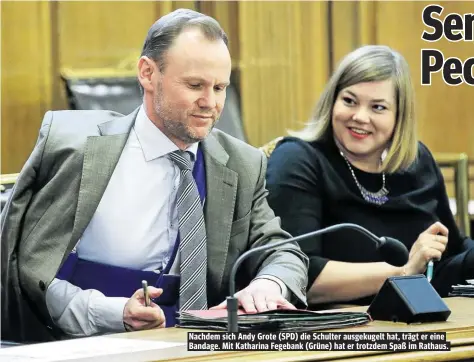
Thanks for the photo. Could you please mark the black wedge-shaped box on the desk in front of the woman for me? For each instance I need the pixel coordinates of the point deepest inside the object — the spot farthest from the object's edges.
(408, 299)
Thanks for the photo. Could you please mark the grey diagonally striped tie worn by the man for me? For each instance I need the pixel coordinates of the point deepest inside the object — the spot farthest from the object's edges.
(192, 231)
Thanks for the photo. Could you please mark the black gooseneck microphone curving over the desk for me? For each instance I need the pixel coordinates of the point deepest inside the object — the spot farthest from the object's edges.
(392, 250)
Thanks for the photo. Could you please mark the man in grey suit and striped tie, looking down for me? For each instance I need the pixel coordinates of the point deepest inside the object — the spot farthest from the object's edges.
(106, 201)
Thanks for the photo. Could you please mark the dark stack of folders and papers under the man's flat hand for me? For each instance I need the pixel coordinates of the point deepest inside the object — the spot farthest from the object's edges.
(275, 320)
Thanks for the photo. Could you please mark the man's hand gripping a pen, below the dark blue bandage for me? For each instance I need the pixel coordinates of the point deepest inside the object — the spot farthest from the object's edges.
(138, 317)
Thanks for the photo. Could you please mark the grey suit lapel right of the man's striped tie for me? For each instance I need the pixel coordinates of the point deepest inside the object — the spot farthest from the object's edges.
(221, 191)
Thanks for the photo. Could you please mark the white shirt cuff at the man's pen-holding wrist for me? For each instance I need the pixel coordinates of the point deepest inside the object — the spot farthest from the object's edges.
(108, 314)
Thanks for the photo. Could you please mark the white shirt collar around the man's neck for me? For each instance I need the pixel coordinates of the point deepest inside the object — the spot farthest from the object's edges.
(153, 142)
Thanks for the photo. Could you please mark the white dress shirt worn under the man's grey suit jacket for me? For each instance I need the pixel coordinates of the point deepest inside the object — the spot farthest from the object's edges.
(135, 226)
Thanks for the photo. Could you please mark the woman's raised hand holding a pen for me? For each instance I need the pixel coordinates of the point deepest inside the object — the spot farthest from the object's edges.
(430, 245)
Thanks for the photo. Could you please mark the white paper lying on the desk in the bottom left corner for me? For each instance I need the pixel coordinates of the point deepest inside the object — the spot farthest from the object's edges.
(80, 348)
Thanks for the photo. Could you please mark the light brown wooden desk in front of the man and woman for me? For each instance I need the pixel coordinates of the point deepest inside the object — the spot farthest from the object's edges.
(459, 329)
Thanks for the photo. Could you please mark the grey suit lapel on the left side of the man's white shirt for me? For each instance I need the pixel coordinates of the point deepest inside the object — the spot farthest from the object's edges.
(100, 158)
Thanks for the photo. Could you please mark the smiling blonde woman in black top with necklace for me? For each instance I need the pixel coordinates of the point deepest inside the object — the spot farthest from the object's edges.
(359, 161)
